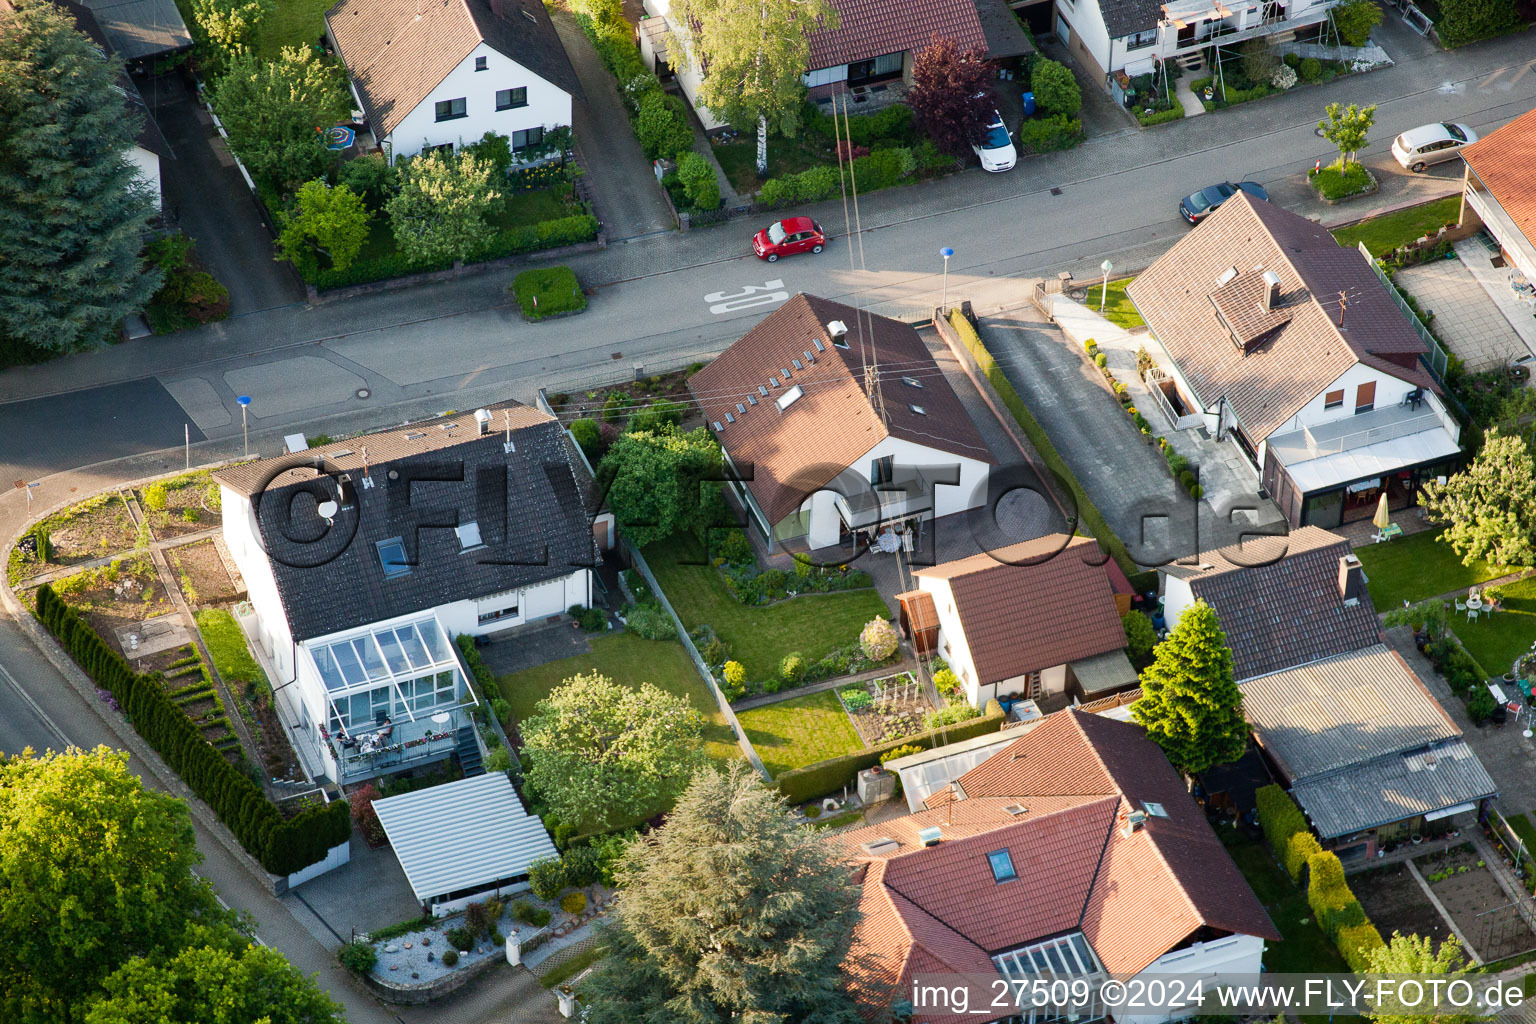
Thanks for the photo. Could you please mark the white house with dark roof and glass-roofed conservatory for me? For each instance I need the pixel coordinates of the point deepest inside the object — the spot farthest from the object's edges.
(366, 558)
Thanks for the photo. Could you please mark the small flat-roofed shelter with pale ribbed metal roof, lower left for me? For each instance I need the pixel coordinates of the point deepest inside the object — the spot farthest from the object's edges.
(465, 841)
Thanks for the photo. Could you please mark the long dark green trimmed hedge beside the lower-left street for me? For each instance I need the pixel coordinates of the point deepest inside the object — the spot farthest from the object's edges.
(282, 847)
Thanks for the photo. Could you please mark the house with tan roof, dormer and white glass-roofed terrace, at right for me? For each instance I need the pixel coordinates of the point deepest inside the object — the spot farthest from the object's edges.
(1291, 346)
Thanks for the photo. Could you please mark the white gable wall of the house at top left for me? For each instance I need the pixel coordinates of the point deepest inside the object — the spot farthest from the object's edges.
(549, 107)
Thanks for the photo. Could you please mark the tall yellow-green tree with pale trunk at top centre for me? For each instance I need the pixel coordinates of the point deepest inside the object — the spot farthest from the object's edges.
(755, 53)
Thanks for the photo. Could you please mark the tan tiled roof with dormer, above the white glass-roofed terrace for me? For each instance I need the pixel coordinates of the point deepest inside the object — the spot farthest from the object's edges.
(1274, 380)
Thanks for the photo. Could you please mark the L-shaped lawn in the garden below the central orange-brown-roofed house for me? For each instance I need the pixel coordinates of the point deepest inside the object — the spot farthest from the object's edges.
(812, 626)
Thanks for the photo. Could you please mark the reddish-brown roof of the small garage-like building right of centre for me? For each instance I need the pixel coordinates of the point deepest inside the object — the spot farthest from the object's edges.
(1033, 606)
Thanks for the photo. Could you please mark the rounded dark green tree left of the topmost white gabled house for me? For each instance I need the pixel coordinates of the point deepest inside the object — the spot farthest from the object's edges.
(277, 111)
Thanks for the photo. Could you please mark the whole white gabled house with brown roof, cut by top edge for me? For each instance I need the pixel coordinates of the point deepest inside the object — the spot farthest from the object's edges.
(440, 74)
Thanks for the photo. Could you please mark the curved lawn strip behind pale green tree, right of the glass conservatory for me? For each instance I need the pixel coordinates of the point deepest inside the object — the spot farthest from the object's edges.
(629, 659)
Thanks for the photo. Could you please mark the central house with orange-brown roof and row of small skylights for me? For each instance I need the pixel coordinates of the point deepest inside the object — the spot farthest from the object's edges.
(841, 429)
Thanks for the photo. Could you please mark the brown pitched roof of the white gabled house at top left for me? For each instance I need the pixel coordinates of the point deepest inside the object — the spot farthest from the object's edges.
(399, 51)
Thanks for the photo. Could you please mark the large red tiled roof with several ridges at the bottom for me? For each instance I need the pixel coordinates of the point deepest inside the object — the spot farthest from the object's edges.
(1133, 897)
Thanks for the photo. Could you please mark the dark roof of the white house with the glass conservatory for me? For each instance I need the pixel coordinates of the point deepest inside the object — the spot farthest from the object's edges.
(428, 478)
